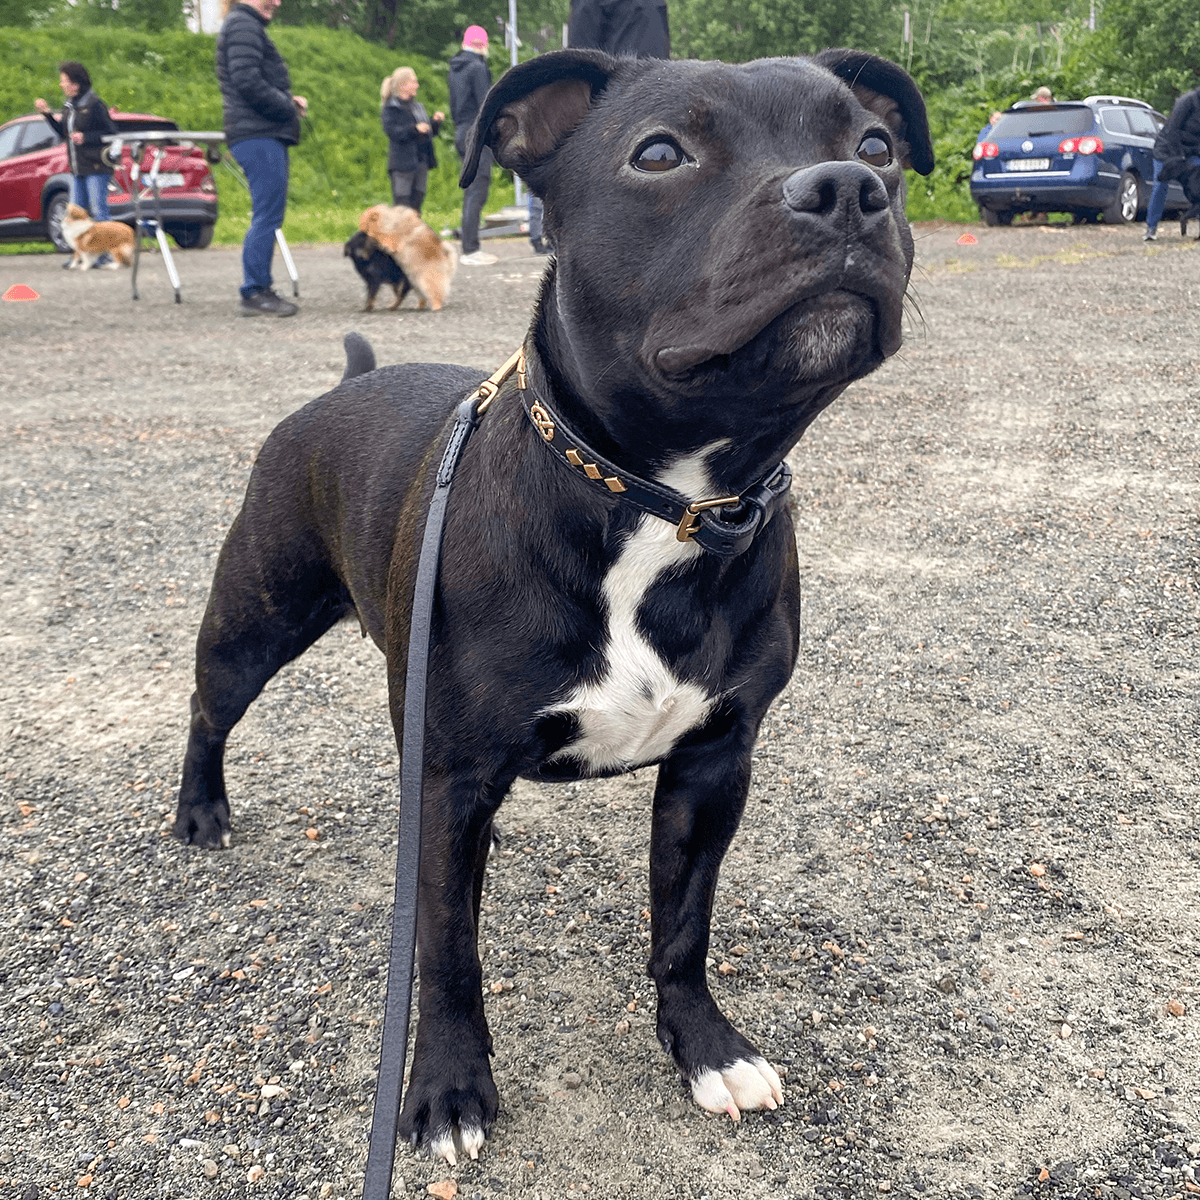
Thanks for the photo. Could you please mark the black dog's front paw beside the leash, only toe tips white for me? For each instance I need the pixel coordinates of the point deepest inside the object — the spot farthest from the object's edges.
(451, 1112)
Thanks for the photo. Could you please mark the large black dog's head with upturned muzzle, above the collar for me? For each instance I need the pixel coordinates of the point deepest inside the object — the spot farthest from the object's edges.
(723, 233)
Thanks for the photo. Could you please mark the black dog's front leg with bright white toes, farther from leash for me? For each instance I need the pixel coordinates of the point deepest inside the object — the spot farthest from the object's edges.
(698, 805)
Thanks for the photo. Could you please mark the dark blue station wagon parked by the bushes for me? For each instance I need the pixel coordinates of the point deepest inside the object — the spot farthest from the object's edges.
(1089, 158)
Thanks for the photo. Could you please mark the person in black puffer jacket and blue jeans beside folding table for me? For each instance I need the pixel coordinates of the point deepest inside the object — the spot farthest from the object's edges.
(262, 119)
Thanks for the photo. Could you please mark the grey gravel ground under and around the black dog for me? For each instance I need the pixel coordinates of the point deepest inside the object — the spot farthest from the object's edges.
(961, 914)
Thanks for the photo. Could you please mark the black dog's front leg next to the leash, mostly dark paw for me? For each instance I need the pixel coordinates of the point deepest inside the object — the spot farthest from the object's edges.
(452, 1102)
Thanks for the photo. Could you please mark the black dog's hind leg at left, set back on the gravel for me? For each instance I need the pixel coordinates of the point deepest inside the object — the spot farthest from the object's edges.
(273, 597)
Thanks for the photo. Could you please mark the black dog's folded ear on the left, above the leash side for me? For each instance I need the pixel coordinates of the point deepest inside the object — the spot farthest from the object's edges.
(535, 107)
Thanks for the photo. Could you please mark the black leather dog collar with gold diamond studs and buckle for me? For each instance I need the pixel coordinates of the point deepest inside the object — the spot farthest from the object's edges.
(724, 526)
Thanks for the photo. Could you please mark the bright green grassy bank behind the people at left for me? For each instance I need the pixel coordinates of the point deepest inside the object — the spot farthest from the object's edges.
(340, 166)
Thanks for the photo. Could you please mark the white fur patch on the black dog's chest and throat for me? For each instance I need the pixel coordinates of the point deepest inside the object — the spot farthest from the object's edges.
(638, 710)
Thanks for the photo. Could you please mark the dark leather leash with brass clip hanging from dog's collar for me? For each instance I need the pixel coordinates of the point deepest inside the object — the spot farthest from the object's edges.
(394, 1048)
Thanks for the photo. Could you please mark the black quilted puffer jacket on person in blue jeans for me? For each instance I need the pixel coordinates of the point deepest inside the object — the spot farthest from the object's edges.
(255, 83)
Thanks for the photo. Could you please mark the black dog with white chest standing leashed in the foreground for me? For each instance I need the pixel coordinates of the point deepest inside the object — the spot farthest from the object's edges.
(619, 585)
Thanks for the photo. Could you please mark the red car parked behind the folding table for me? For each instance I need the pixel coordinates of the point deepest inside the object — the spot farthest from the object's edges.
(35, 183)
